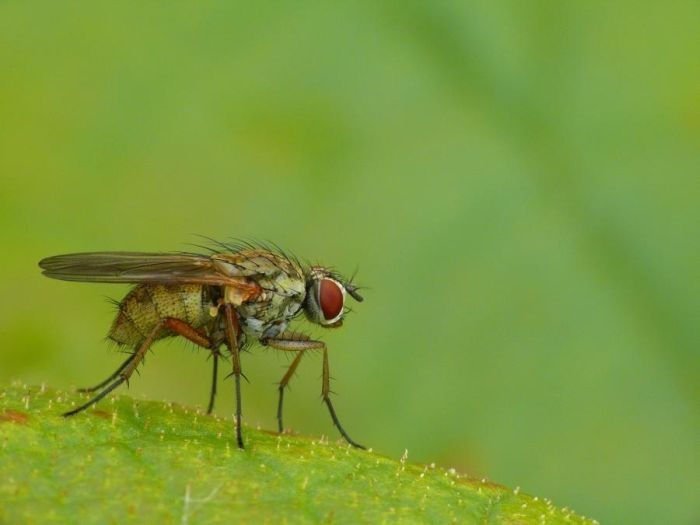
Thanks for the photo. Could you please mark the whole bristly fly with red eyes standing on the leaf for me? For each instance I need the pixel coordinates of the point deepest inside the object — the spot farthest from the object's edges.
(231, 297)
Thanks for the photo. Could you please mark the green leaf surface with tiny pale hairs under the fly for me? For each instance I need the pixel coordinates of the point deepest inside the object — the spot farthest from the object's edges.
(131, 461)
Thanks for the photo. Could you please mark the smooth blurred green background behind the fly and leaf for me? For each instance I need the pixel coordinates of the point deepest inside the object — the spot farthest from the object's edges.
(517, 182)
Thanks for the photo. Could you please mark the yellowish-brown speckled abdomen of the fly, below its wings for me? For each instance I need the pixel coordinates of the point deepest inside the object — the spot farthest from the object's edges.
(147, 305)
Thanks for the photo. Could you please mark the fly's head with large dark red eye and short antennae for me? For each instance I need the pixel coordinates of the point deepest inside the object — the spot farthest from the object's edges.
(325, 297)
